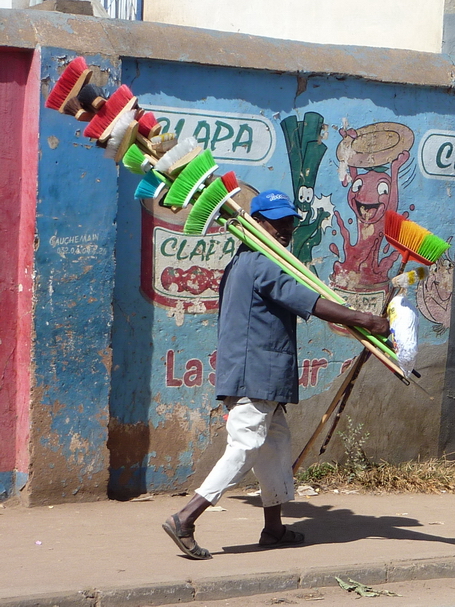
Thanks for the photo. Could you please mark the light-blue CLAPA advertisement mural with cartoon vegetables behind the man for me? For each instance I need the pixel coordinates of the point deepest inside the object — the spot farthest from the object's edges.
(346, 151)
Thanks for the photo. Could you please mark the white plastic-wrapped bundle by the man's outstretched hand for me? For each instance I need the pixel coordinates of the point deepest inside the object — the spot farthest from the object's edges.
(404, 328)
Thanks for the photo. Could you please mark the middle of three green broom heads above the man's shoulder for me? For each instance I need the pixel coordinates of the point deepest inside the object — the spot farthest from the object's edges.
(190, 179)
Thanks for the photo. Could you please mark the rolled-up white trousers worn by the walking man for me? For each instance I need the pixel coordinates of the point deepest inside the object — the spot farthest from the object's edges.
(258, 440)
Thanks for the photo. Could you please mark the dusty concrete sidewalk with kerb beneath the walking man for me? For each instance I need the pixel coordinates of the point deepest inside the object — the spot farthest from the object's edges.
(116, 553)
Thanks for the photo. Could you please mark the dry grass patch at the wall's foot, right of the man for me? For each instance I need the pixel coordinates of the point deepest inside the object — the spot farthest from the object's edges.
(435, 475)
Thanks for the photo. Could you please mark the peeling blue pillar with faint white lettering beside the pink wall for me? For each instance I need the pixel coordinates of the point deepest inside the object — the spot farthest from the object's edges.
(74, 267)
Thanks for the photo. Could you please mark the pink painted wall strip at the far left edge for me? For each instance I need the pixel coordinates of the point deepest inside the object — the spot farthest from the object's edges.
(19, 115)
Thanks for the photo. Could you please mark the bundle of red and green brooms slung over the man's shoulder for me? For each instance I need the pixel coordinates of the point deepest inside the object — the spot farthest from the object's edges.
(187, 173)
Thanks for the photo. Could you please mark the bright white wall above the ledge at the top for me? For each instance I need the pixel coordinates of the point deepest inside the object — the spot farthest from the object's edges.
(402, 24)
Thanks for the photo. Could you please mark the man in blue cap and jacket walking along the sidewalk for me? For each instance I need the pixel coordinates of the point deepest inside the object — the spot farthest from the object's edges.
(257, 374)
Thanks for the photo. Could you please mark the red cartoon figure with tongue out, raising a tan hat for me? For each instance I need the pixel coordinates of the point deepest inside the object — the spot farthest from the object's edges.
(371, 192)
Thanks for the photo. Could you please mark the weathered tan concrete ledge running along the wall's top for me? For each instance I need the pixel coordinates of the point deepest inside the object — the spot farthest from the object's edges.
(111, 37)
